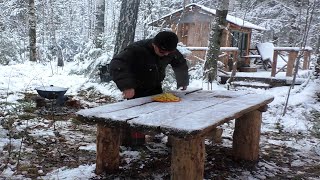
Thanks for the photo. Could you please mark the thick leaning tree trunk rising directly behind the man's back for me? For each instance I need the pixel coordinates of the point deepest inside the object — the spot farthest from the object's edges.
(127, 24)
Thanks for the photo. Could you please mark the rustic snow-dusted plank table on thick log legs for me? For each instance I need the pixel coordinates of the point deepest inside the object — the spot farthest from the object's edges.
(188, 122)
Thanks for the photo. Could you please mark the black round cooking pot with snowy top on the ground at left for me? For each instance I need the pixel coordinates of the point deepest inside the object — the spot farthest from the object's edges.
(51, 92)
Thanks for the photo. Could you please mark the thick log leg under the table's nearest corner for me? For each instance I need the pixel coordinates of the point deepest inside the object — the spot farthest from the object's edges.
(187, 159)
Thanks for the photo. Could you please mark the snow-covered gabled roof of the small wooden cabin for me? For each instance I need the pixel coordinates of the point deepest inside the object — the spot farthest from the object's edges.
(232, 19)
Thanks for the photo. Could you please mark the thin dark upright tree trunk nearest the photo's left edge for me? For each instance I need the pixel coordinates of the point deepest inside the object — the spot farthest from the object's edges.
(32, 31)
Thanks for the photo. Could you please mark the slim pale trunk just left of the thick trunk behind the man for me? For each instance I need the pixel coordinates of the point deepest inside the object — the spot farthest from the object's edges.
(99, 26)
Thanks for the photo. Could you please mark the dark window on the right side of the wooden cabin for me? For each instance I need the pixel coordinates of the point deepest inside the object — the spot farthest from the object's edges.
(240, 40)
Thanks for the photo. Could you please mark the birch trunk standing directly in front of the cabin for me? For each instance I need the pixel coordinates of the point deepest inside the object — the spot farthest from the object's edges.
(218, 25)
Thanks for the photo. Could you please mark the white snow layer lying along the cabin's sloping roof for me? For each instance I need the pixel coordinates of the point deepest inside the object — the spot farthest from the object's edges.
(232, 19)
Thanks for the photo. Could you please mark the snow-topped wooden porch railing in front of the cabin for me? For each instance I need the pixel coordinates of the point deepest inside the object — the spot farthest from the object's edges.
(231, 55)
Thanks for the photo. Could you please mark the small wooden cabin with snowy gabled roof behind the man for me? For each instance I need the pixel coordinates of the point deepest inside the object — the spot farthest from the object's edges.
(192, 24)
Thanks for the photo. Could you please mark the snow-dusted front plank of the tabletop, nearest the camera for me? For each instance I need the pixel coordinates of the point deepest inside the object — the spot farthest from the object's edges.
(202, 118)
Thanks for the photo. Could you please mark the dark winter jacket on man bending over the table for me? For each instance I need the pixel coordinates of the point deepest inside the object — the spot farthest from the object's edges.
(140, 68)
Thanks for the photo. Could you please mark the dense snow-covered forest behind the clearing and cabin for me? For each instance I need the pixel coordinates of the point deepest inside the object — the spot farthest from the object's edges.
(66, 28)
